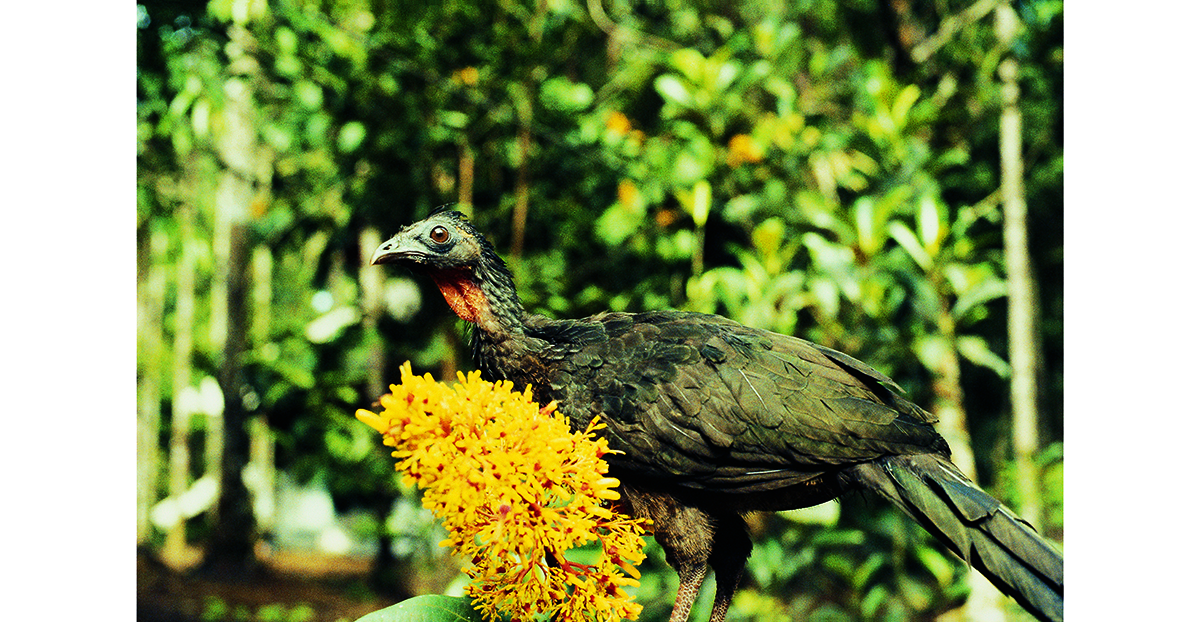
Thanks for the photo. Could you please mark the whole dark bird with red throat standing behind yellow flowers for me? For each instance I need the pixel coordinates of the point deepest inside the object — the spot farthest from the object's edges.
(712, 421)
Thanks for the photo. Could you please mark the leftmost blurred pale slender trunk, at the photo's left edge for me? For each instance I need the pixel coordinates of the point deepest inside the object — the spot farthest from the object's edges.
(153, 289)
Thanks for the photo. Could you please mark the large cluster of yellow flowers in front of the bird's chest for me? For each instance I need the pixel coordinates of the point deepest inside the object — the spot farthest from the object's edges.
(517, 491)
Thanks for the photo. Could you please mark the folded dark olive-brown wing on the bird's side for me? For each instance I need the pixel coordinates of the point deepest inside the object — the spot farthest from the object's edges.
(703, 402)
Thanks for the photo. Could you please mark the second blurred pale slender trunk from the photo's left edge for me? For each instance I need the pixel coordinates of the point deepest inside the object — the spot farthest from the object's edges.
(175, 551)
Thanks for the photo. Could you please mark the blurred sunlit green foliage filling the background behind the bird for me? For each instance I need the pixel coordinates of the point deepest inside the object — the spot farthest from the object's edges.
(789, 165)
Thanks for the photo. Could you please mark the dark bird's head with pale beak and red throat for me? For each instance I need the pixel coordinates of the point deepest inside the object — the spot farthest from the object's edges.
(475, 282)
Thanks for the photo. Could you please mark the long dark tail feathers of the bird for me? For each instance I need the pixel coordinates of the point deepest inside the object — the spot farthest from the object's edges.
(974, 525)
